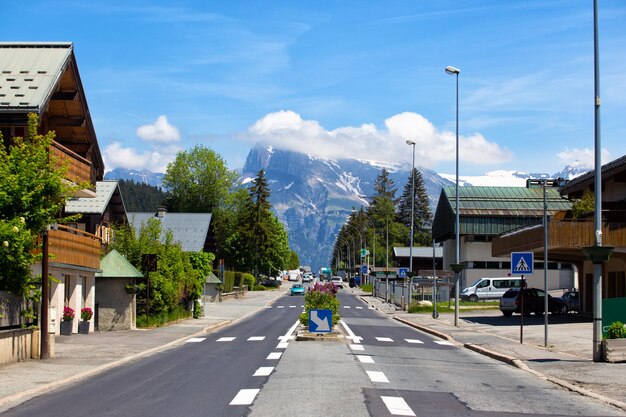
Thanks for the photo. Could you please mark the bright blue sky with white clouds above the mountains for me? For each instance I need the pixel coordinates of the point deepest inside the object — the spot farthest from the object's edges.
(343, 79)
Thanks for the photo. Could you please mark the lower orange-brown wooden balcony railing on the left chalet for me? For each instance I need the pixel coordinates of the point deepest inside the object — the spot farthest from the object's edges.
(74, 247)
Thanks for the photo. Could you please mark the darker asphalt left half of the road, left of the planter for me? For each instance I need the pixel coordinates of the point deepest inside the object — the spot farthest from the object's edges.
(219, 375)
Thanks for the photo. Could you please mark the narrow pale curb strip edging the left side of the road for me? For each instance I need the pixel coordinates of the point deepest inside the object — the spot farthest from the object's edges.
(14, 400)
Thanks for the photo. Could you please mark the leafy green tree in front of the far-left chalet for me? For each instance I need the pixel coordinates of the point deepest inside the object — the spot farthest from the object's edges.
(32, 194)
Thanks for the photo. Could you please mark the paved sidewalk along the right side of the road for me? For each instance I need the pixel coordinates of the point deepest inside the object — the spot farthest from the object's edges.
(567, 361)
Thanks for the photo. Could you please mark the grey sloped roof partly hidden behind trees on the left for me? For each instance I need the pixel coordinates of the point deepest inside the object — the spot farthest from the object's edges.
(190, 229)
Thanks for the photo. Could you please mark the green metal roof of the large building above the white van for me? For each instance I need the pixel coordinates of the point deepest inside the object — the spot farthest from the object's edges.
(493, 210)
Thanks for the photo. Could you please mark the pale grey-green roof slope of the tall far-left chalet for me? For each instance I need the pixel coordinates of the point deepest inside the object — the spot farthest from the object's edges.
(29, 73)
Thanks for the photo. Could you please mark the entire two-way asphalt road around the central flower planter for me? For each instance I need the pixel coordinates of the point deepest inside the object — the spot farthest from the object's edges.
(253, 368)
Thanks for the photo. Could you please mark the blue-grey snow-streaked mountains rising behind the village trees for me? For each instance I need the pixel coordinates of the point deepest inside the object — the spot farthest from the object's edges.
(313, 197)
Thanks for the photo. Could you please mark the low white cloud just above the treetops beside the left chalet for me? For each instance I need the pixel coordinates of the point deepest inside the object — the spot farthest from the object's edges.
(155, 160)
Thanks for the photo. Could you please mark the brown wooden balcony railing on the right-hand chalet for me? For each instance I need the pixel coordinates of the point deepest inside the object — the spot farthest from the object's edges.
(561, 234)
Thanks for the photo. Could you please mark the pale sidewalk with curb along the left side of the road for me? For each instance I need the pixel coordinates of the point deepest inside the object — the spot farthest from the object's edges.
(79, 356)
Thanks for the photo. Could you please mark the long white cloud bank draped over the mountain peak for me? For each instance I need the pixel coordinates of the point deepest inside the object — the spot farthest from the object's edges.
(287, 130)
